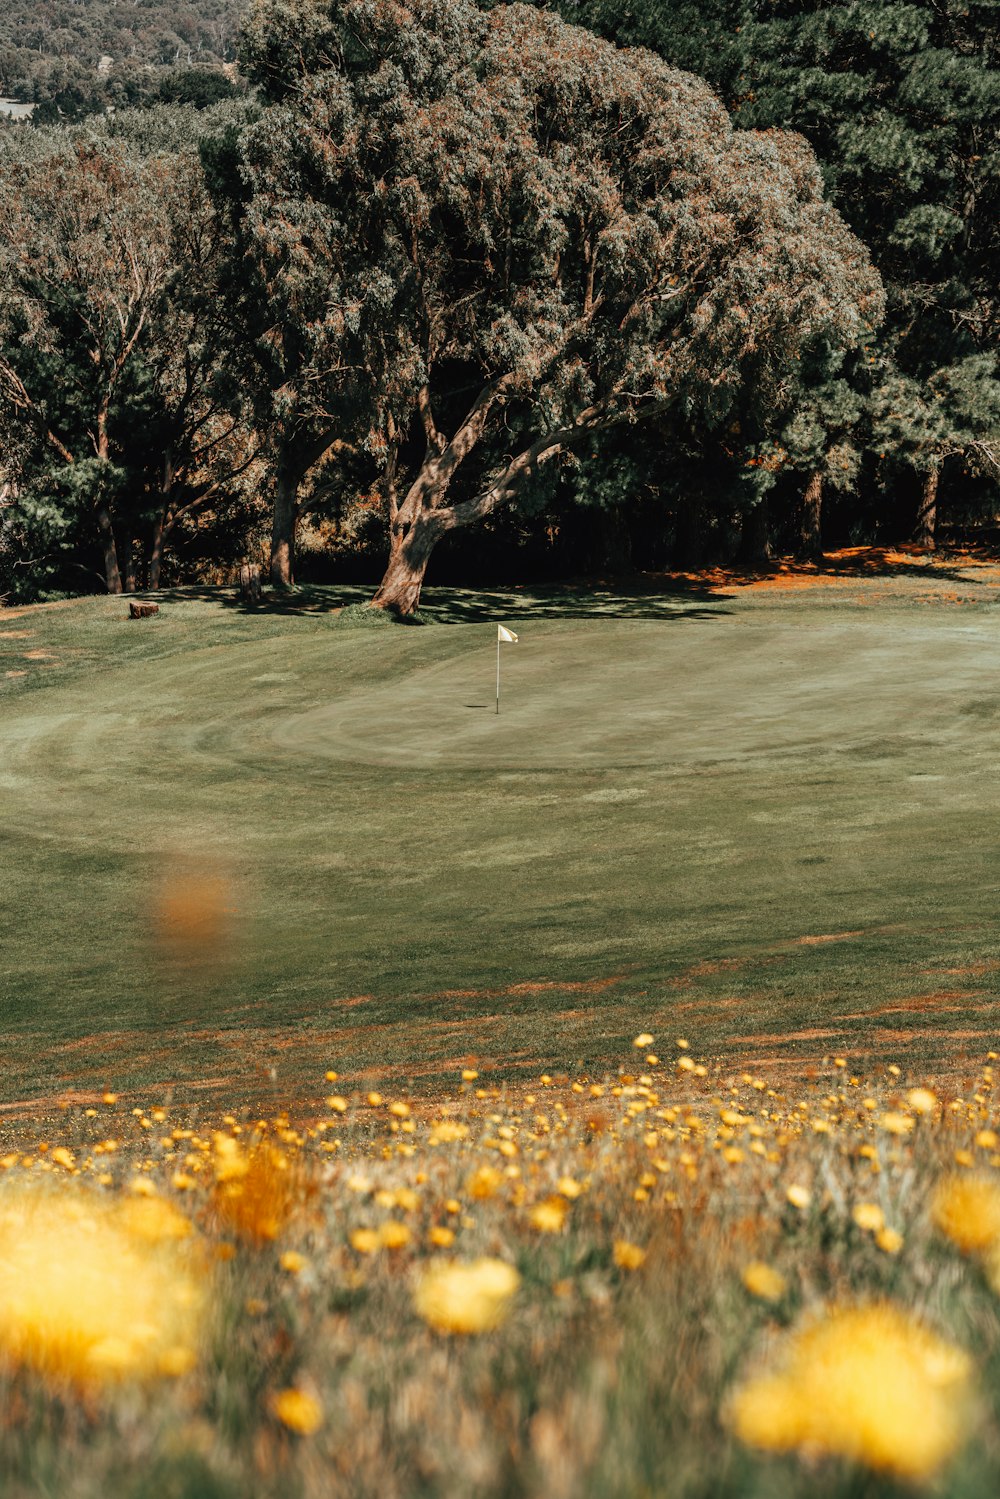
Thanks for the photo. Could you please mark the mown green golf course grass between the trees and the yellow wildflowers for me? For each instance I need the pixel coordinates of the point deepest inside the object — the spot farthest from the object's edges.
(762, 819)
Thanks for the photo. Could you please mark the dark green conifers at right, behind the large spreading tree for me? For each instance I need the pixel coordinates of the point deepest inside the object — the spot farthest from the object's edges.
(902, 104)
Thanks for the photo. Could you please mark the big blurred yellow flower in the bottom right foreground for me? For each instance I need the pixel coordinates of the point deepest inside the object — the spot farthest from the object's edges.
(866, 1384)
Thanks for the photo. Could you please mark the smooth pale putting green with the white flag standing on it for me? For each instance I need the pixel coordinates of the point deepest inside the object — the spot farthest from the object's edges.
(720, 690)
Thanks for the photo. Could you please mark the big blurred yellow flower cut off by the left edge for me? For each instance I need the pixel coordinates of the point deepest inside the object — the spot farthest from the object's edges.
(88, 1300)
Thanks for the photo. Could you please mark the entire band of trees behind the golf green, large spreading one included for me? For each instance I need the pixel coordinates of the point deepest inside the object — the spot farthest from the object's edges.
(475, 268)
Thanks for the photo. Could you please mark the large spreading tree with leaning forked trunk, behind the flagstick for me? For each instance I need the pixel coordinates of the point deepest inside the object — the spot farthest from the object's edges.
(490, 238)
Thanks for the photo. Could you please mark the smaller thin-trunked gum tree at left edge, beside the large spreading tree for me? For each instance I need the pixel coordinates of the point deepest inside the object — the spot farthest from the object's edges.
(116, 420)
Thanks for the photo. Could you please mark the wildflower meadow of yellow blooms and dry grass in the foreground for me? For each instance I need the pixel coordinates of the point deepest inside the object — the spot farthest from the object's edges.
(666, 1281)
